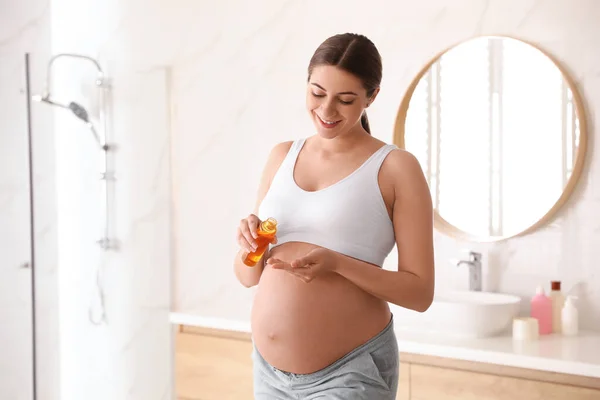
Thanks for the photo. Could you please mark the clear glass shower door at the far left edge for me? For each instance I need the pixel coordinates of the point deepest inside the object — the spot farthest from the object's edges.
(16, 316)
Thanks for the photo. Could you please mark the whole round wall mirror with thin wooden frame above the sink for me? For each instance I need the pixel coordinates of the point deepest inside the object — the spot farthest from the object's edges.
(499, 130)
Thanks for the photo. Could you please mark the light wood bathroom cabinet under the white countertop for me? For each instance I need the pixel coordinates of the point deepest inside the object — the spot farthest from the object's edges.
(212, 364)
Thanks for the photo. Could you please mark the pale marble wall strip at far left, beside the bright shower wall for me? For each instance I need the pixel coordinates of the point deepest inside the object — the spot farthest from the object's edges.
(25, 27)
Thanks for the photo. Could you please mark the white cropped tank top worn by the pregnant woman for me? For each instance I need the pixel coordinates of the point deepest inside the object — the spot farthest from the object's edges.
(349, 217)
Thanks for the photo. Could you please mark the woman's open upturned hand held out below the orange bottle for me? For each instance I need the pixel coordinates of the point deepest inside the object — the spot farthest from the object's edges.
(314, 263)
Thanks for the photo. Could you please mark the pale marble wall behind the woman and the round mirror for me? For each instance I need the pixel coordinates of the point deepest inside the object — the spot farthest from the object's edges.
(238, 88)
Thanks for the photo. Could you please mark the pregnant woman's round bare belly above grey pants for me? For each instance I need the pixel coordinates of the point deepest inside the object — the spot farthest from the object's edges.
(303, 327)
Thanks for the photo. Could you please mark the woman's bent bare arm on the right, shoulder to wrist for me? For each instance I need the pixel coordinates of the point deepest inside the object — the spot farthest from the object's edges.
(412, 285)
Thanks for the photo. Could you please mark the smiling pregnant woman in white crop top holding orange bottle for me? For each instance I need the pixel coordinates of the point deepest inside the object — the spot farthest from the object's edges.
(321, 324)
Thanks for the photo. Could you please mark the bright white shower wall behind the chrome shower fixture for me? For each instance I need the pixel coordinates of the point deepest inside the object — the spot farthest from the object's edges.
(118, 348)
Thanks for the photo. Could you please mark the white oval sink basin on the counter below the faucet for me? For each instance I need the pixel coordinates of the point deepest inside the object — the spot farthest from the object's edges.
(462, 314)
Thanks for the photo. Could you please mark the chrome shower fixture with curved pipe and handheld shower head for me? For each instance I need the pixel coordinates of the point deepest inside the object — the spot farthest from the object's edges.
(100, 135)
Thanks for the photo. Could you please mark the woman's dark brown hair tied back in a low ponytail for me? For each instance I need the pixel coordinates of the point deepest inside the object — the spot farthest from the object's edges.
(355, 54)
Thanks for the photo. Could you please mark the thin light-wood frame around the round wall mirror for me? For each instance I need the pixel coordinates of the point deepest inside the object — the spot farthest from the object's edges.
(447, 228)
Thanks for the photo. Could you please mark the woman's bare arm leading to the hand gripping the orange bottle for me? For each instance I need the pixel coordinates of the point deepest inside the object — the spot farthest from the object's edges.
(250, 276)
